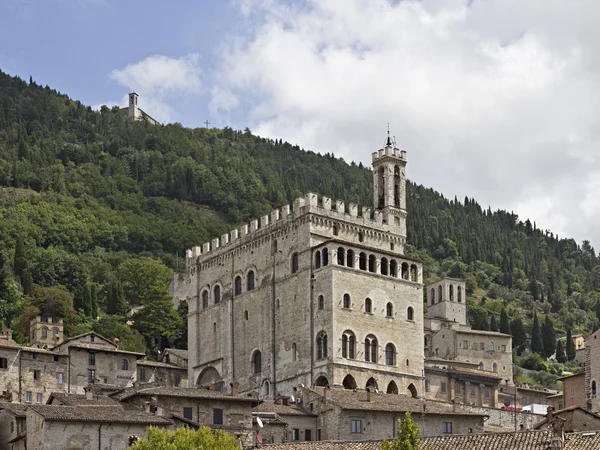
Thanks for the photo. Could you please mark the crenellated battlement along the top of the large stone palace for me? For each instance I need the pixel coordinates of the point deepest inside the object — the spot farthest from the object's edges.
(311, 203)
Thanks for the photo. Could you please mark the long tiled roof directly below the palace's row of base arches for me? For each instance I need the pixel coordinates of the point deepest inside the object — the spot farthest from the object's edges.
(348, 399)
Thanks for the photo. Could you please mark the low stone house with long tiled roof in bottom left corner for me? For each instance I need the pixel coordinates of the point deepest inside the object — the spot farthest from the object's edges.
(52, 427)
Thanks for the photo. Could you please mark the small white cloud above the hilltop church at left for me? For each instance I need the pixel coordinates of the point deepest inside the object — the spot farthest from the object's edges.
(159, 79)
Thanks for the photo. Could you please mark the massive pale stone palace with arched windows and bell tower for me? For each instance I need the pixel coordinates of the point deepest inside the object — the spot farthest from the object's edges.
(311, 295)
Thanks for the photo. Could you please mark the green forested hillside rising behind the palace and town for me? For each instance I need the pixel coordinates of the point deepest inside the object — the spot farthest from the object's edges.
(87, 198)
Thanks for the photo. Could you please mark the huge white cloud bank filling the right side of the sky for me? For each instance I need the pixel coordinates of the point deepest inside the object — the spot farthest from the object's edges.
(497, 99)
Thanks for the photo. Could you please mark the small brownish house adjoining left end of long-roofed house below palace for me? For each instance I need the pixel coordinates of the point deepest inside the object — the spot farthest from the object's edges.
(298, 423)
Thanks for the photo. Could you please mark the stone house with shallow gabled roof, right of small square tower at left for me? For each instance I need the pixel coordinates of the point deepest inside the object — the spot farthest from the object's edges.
(95, 359)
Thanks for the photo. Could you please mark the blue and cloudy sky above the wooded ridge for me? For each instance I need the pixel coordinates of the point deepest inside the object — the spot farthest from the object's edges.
(497, 100)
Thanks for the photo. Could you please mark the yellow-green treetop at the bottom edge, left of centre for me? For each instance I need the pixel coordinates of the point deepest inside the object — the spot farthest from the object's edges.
(184, 438)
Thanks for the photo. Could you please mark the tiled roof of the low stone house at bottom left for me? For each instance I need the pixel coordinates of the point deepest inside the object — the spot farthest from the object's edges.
(103, 414)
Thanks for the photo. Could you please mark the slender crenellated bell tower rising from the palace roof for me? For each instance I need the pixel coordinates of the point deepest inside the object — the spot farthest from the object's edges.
(389, 185)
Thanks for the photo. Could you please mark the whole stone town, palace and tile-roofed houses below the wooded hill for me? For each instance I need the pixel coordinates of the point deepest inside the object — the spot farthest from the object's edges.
(311, 323)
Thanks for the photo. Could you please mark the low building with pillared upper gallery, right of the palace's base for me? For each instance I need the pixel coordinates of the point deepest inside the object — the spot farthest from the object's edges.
(456, 382)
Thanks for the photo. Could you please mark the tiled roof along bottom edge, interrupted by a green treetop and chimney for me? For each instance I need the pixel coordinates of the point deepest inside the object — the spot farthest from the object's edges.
(525, 440)
